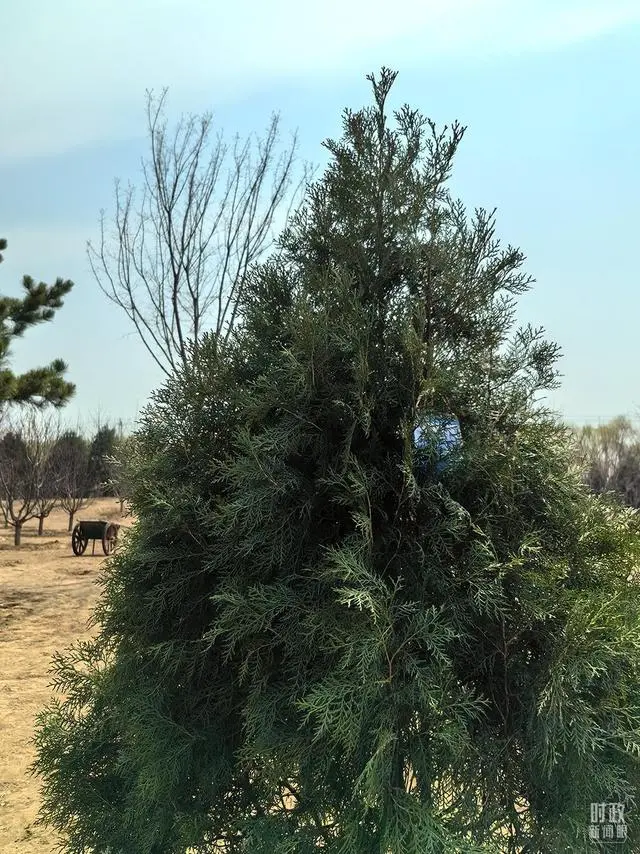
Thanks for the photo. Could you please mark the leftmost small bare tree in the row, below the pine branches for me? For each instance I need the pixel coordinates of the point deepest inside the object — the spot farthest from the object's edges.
(24, 451)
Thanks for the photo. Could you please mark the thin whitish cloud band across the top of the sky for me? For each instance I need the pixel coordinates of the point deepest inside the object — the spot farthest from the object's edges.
(75, 72)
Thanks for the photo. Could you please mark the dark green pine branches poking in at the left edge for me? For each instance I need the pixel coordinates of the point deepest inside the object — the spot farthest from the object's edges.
(39, 385)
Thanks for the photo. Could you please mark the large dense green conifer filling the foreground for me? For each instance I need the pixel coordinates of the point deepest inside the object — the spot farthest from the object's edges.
(320, 636)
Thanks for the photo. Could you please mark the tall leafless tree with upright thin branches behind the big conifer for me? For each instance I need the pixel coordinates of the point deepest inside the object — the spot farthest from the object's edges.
(180, 250)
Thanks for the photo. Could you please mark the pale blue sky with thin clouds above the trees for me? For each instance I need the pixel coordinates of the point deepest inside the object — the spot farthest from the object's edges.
(546, 88)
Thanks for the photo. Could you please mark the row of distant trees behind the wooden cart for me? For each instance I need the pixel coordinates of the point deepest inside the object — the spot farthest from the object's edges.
(43, 466)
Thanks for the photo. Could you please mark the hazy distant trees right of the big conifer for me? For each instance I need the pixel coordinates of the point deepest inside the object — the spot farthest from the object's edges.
(609, 456)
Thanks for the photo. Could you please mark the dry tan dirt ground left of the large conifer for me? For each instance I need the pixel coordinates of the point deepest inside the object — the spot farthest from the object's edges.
(46, 597)
